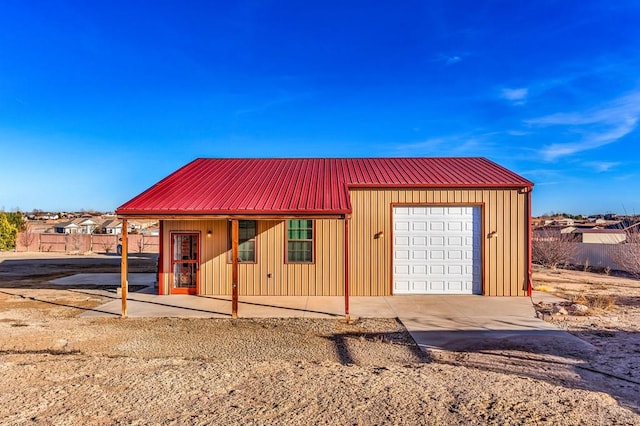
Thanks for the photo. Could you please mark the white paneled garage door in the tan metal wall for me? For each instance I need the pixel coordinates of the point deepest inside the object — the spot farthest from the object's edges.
(436, 250)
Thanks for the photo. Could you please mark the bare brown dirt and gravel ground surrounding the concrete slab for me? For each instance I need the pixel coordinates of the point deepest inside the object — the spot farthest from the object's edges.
(56, 368)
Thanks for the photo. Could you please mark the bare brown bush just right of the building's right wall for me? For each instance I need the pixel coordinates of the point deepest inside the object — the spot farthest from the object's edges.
(552, 248)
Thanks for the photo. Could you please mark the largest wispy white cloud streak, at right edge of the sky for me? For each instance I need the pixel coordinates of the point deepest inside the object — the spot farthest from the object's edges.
(598, 127)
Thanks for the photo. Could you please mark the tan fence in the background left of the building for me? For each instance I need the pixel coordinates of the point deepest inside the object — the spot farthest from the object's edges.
(83, 243)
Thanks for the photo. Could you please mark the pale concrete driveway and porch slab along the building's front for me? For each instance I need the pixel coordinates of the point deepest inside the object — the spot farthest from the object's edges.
(452, 322)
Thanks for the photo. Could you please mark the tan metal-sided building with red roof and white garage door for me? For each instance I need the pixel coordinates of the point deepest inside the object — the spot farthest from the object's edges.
(333, 226)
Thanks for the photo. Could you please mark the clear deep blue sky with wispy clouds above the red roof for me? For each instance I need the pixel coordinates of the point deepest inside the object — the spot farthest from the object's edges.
(100, 100)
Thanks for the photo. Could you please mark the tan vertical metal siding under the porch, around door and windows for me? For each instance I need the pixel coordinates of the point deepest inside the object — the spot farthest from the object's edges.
(323, 277)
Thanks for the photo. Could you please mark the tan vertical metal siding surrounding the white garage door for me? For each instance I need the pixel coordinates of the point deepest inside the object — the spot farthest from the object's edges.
(504, 257)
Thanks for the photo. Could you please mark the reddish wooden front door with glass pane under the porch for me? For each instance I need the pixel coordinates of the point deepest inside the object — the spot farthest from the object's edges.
(185, 262)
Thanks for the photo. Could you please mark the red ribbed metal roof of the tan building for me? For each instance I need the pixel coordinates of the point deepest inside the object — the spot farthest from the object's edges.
(280, 186)
